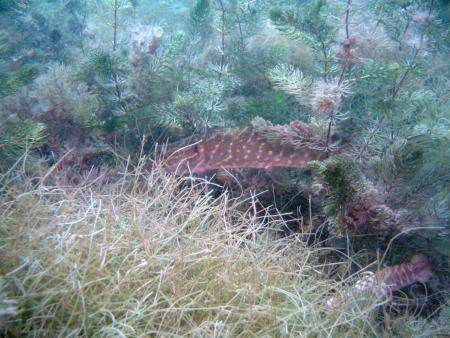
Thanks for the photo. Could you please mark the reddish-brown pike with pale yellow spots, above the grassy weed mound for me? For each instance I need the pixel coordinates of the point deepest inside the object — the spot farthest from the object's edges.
(239, 149)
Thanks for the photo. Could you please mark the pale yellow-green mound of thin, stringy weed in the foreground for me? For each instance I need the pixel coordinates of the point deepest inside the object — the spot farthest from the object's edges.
(156, 255)
